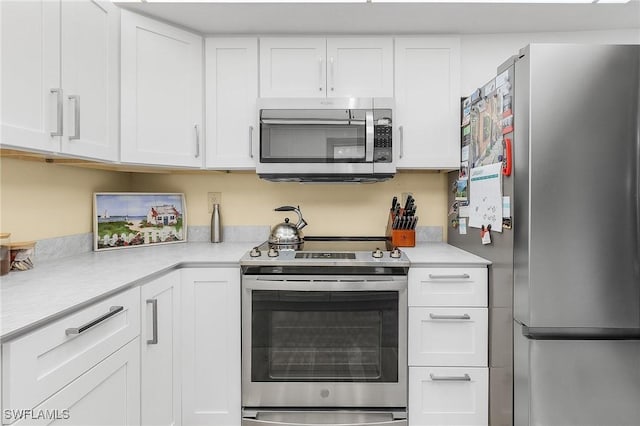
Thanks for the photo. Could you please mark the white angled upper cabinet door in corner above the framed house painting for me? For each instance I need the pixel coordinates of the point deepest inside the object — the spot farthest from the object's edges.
(161, 93)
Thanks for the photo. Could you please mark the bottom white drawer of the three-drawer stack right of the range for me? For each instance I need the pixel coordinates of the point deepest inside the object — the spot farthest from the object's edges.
(448, 396)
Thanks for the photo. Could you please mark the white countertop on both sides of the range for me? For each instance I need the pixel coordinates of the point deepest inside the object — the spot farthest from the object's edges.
(32, 298)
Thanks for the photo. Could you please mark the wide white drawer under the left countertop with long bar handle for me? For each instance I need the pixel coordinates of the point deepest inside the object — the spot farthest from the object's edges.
(37, 365)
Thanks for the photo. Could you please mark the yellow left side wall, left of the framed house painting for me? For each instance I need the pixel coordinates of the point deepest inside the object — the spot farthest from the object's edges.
(43, 200)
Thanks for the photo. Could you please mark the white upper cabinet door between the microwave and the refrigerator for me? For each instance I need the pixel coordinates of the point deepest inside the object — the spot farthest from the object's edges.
(427, 93)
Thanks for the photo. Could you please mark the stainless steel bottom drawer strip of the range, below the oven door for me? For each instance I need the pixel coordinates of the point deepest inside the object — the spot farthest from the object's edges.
(318, 418)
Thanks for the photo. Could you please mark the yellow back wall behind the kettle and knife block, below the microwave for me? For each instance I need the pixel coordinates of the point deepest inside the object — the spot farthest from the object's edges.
(345, 209)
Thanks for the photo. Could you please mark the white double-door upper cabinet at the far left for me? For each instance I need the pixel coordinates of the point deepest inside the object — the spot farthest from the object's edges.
(60, 68)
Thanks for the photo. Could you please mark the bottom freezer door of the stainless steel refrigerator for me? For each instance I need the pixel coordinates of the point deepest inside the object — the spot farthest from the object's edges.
(575, 382)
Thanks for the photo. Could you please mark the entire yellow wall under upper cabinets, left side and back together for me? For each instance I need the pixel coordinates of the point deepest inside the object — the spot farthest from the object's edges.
(41, 200)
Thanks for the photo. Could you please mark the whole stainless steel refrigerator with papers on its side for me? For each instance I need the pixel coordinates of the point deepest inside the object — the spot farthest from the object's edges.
(564, 296)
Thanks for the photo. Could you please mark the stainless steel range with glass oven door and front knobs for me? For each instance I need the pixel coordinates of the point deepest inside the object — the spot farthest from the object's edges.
(324, 334)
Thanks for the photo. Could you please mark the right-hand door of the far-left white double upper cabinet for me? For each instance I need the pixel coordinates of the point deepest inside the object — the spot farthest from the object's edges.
(90, 69)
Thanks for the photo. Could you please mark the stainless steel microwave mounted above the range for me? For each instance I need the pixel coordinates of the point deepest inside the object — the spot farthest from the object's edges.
(326, 140)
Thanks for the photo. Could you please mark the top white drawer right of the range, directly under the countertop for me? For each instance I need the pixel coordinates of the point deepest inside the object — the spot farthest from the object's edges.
(448, 286)
